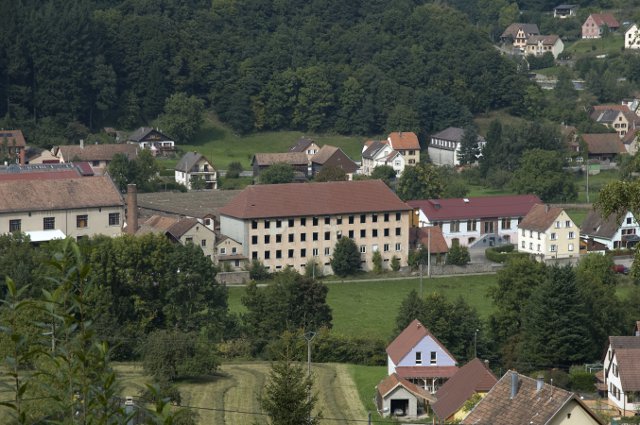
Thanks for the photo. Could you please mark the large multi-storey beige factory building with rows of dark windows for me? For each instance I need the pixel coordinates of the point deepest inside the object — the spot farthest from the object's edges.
(290, 224)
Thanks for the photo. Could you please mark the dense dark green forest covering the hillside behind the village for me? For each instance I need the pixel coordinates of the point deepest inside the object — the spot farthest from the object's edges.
(356, 67)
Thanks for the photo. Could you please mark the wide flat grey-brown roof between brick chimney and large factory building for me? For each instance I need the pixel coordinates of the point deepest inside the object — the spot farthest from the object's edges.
(197, 204)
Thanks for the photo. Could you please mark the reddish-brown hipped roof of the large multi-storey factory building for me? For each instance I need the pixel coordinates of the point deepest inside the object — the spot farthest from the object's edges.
(295, 199)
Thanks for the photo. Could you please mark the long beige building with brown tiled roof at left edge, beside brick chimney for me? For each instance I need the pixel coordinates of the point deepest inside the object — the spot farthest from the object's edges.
(78, 207)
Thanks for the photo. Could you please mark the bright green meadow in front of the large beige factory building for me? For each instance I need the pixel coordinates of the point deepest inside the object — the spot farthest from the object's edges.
(368, 309)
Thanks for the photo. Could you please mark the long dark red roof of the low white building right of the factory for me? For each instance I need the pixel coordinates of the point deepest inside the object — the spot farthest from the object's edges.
(480, 207)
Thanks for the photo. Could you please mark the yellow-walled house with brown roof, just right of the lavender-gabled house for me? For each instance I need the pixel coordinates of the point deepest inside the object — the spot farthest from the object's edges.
(474, 378)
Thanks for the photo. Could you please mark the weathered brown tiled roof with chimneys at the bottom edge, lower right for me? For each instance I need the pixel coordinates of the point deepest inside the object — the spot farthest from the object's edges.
(529, 406)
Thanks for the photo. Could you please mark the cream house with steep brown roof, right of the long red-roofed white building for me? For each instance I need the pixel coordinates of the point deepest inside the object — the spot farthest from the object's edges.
(548, 233)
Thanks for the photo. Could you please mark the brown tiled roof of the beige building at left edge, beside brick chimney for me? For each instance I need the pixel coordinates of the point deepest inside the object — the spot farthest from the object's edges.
(58, 194)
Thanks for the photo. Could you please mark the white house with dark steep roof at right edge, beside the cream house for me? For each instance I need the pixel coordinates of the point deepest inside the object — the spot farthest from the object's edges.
(613, 232)
